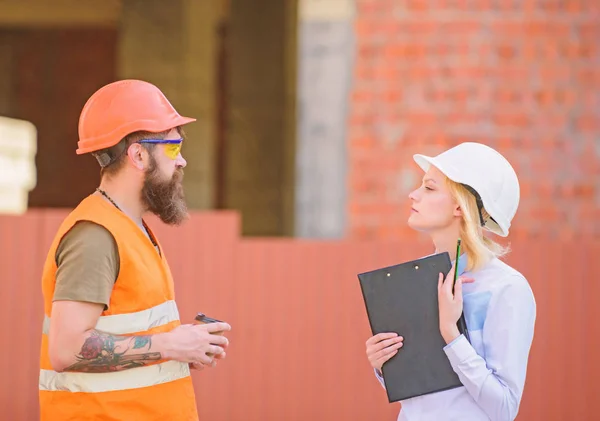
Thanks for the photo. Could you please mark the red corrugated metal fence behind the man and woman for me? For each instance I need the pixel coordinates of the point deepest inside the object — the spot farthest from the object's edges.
(298, 320)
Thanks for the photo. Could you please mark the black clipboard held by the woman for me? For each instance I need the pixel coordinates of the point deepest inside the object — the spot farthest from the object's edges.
(403, 299)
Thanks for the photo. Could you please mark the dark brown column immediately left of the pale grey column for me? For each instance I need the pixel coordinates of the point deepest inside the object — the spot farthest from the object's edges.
(259, 176)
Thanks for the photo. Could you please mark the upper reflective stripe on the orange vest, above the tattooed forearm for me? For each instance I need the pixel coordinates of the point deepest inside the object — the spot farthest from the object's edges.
(127, 323)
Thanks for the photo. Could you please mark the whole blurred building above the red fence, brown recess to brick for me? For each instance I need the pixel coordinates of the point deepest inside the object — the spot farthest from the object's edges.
(376, 81)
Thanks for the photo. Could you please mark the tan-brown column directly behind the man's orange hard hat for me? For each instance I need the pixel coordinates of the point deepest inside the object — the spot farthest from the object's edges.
(172, 44)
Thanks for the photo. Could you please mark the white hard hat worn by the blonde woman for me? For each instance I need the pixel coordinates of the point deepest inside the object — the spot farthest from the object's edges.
(487, 172)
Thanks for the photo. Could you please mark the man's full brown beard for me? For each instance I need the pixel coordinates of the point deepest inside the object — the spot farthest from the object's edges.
(164, 198)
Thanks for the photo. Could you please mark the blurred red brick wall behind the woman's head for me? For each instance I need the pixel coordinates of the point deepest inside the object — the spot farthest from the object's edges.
(521, 76)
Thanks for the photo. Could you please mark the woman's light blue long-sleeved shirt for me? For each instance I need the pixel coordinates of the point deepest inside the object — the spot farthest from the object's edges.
(500, 312)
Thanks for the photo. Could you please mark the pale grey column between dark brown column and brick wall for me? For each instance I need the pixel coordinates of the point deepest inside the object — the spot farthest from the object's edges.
(325, 75)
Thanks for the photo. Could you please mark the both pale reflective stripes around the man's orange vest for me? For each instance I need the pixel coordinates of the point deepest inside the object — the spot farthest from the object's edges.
(120, 324)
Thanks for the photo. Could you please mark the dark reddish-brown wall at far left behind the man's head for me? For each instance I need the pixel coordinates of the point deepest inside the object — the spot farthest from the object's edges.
(47, 73)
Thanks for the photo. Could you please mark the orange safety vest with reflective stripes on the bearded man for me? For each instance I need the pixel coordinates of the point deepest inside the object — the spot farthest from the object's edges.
(142, 302)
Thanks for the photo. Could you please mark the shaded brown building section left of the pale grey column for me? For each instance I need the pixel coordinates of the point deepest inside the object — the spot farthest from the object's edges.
(230, 64)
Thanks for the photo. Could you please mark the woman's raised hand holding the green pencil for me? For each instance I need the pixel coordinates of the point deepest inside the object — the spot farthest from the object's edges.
(450, 305)
